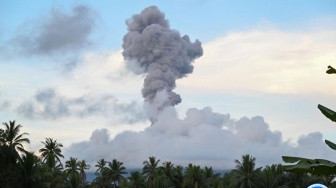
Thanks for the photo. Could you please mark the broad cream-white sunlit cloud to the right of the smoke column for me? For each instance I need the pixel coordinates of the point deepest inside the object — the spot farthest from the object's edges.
(268, 61)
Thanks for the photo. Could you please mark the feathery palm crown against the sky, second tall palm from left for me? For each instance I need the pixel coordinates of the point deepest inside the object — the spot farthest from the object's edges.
(51, 152)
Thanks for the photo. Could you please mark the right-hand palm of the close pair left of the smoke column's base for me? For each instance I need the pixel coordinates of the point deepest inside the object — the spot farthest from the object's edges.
(116, 171)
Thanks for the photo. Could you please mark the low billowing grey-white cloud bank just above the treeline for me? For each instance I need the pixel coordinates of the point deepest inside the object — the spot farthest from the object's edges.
(203, 137)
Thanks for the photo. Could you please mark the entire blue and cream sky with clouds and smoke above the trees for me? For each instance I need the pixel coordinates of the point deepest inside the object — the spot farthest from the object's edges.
(192, 81)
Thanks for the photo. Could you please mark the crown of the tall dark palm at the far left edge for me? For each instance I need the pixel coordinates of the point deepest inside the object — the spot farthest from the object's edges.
(12, 138)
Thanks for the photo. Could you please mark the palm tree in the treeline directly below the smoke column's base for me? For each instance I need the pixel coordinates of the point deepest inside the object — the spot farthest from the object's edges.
(149, 170)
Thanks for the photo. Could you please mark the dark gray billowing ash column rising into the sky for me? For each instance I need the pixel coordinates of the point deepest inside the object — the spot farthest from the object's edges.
(161, 53)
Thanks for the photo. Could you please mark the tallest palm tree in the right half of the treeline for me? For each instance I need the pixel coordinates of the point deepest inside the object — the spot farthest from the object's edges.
(245, 173)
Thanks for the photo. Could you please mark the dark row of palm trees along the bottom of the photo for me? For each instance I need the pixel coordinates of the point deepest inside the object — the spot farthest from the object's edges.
(20, 168)
